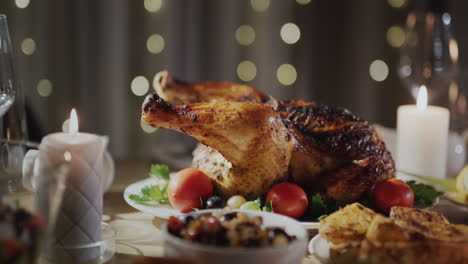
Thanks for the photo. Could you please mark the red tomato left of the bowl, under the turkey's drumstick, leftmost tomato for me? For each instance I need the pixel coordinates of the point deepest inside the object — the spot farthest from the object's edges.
(186, 188)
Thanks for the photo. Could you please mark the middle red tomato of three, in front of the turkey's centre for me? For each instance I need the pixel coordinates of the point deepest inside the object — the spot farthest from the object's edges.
(288, 199)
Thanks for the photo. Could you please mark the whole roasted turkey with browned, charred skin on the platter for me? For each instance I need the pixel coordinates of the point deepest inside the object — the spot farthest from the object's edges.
(250, 141)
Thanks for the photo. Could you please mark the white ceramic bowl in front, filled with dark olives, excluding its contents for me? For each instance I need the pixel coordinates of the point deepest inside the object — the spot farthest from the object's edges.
(292, 253)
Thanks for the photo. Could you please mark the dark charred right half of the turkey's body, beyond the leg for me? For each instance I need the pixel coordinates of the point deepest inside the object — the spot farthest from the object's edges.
(335, 152)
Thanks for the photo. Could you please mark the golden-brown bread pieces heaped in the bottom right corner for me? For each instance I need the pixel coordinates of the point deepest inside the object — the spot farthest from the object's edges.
(406, 237)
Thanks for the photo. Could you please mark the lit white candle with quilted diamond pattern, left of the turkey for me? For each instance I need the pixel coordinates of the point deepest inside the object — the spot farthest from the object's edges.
(78, 220)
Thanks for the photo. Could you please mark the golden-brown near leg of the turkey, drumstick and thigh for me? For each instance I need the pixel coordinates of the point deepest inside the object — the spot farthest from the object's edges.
(253, 144)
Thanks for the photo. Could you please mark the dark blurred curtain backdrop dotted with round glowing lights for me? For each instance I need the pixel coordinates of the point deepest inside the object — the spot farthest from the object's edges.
(100, 56)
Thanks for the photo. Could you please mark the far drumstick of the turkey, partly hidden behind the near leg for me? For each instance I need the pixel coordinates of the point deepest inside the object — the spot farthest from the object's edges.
(174, 91)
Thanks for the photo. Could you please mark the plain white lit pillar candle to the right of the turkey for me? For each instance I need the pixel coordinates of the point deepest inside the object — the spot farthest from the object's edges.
(422, 134)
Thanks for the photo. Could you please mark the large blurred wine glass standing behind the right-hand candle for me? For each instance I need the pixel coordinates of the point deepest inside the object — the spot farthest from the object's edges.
(430, 54)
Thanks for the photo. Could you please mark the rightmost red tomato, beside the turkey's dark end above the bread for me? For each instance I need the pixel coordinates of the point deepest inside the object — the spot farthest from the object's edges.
(392, 192)
